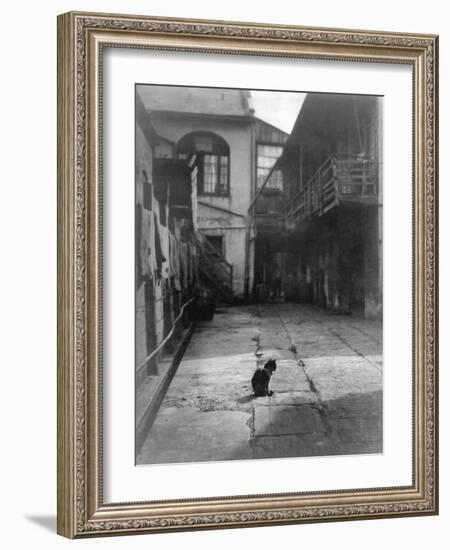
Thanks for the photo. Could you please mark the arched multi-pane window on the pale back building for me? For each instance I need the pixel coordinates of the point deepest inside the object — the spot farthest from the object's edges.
(213, 161)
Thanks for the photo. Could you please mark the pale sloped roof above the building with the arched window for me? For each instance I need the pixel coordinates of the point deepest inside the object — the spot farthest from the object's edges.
(185, 99)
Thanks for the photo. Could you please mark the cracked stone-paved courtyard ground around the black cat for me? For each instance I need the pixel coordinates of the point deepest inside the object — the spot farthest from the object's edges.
(327, 388)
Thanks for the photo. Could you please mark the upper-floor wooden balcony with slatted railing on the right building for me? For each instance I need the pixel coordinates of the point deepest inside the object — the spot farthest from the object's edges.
(339, 180)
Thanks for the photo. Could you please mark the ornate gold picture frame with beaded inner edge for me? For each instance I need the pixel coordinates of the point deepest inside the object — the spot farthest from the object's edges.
(81, 37)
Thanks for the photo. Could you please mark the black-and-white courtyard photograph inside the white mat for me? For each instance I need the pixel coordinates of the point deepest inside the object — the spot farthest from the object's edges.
(258, 274)
